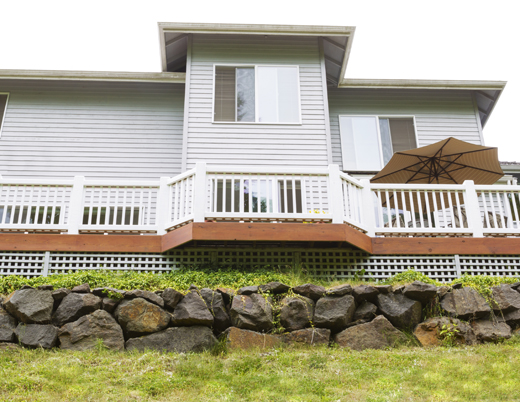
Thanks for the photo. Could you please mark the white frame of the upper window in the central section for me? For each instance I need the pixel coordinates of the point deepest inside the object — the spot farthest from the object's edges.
(255, 66)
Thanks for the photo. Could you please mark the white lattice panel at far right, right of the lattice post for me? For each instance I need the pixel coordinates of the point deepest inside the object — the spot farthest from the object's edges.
(490, 265)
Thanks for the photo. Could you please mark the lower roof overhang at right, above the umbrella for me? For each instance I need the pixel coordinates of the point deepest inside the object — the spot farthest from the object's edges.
(486, 92)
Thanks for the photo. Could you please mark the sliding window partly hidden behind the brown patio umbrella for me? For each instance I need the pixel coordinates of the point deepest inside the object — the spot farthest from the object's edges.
(368, 142)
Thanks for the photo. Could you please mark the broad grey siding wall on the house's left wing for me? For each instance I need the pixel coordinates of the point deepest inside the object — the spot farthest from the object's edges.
(100, 130)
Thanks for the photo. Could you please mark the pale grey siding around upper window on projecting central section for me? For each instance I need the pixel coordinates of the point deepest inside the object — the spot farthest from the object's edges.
(256, 144)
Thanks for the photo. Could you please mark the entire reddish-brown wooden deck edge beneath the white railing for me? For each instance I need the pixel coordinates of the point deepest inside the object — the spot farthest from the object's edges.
(312, 234)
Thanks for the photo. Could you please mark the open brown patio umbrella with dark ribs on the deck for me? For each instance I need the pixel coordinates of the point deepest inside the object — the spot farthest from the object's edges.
(449, 161)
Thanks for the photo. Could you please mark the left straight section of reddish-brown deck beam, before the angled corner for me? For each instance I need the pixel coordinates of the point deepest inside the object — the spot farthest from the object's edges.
(85, 242)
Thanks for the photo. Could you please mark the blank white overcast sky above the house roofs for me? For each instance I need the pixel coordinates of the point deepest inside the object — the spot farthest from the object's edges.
(456, 40)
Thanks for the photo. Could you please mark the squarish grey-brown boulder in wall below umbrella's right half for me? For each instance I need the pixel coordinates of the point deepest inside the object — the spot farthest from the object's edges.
(465, 303)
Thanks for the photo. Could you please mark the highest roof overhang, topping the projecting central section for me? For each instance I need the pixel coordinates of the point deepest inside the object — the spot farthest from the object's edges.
(337, 41)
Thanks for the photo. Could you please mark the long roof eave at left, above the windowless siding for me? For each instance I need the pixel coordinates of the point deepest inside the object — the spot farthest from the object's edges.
(92, 76)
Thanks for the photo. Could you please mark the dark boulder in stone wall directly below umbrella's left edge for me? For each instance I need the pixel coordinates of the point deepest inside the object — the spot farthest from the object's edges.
(402, 312)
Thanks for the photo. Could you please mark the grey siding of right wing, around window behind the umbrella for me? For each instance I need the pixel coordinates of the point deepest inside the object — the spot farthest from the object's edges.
(438, 114)
